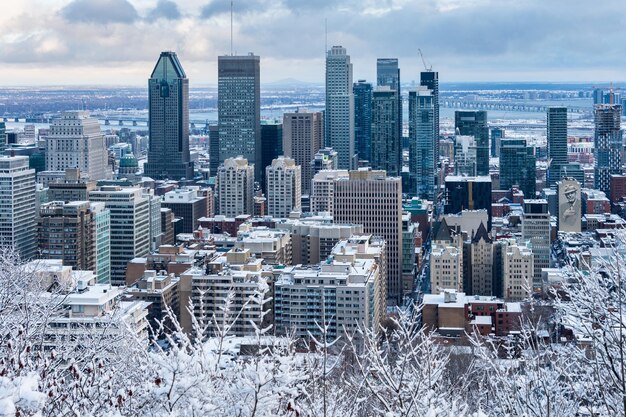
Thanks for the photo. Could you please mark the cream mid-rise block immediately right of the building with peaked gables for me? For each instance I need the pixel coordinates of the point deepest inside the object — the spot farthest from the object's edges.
(517, 272)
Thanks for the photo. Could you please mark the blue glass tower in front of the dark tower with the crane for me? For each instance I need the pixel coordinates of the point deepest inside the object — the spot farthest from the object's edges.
(423, 143)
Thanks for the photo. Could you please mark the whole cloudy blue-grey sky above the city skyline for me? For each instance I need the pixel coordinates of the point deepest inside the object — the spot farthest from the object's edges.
(116, 42)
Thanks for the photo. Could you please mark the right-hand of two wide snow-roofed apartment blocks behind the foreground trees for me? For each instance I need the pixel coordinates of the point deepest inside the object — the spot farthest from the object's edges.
(345, 291)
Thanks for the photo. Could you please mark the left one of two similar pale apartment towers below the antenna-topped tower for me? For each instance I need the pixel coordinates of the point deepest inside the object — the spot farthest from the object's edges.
(235, 187)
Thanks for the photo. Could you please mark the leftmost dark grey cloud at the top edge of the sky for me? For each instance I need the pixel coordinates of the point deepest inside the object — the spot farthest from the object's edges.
(100, 11)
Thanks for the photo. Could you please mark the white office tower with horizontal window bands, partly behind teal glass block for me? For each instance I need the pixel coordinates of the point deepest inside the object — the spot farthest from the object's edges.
(130, 226)
